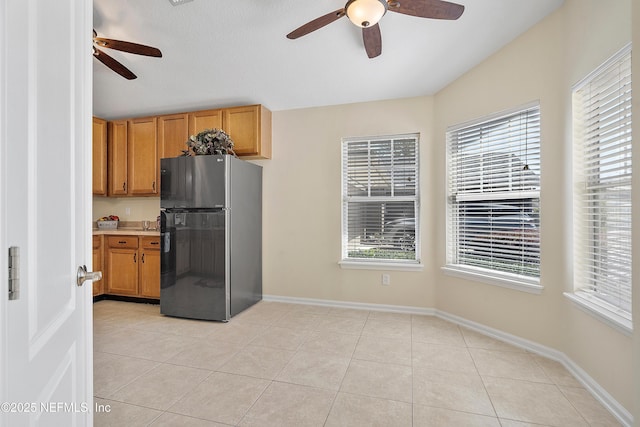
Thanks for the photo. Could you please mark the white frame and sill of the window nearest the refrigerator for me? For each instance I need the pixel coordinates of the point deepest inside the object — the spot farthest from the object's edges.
(379, 263)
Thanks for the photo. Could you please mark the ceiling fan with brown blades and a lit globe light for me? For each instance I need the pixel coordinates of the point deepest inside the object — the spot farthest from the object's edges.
(367, 13)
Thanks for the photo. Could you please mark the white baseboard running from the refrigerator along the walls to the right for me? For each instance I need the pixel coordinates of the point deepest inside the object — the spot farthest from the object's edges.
(599, 393)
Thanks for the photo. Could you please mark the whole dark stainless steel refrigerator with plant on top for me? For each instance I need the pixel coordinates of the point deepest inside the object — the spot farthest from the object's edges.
(211, 236)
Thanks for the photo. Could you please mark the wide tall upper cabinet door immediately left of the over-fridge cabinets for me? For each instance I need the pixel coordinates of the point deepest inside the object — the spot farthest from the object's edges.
(142, 151)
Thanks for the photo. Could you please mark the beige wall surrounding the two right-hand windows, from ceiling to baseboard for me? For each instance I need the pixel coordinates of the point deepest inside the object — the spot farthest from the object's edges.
(541, 65)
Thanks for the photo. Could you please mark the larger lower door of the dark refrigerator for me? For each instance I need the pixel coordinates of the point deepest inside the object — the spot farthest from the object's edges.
(193, 279)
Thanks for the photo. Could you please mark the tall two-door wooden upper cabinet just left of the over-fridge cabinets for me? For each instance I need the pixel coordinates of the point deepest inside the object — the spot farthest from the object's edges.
(133, 157)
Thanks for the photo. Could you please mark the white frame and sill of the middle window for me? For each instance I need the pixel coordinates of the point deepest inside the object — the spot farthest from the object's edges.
(529, 284)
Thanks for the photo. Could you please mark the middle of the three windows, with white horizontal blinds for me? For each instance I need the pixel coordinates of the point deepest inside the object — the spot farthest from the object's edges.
(494, 198)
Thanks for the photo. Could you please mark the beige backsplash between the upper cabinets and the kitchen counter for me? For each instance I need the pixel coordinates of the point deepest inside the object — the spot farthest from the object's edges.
(127, 208)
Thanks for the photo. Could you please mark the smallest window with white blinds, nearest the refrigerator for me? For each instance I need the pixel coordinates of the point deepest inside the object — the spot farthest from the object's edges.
(380, 194)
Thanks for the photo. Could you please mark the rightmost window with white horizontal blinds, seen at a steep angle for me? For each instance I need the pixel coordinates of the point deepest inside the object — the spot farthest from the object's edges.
(602, 201)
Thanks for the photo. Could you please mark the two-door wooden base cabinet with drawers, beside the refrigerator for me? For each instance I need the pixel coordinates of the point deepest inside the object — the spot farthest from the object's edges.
(132, 266)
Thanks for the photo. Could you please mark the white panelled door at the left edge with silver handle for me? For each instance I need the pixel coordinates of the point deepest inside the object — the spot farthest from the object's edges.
(45, 211)
